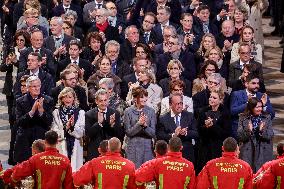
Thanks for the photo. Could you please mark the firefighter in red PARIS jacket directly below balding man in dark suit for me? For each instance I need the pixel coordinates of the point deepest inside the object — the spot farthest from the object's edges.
(172, 171)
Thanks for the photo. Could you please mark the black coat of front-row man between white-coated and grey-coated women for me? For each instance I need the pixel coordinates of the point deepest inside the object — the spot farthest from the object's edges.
(97, 133)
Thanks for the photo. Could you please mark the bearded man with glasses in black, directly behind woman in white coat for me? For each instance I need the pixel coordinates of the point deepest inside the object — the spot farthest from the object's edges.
(69, 79)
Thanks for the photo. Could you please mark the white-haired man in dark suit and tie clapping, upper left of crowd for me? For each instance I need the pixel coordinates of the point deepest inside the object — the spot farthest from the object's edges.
(57, 42)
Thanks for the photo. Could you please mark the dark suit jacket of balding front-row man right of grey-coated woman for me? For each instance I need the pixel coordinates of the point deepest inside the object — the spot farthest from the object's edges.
(166, 127)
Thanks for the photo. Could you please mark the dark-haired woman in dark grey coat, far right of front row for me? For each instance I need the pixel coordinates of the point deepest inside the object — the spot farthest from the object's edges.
(255, 135)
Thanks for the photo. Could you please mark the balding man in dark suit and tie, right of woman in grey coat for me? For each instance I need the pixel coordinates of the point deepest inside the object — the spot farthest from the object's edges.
(180, 123)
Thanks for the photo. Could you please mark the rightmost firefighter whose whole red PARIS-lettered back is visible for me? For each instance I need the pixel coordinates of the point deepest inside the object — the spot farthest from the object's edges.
(227, 171)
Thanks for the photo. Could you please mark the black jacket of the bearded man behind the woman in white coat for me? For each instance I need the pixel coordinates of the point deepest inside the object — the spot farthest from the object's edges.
(80, 93)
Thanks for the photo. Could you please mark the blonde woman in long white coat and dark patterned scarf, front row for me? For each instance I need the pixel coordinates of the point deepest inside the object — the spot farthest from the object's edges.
(69, 123)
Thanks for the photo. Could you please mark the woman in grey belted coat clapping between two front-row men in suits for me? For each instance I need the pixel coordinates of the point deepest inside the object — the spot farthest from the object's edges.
(140, 128)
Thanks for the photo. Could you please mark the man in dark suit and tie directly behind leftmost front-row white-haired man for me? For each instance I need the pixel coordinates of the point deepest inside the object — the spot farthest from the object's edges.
(34, 62)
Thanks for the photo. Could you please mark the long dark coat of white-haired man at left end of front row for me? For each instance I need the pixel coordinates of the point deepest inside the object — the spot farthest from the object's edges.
(30, 128)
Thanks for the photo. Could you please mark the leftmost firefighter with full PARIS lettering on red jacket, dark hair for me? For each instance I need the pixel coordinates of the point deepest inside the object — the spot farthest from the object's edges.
(51, 169)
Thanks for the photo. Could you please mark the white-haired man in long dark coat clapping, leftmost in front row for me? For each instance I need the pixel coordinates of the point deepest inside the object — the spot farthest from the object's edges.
(33, 118)
